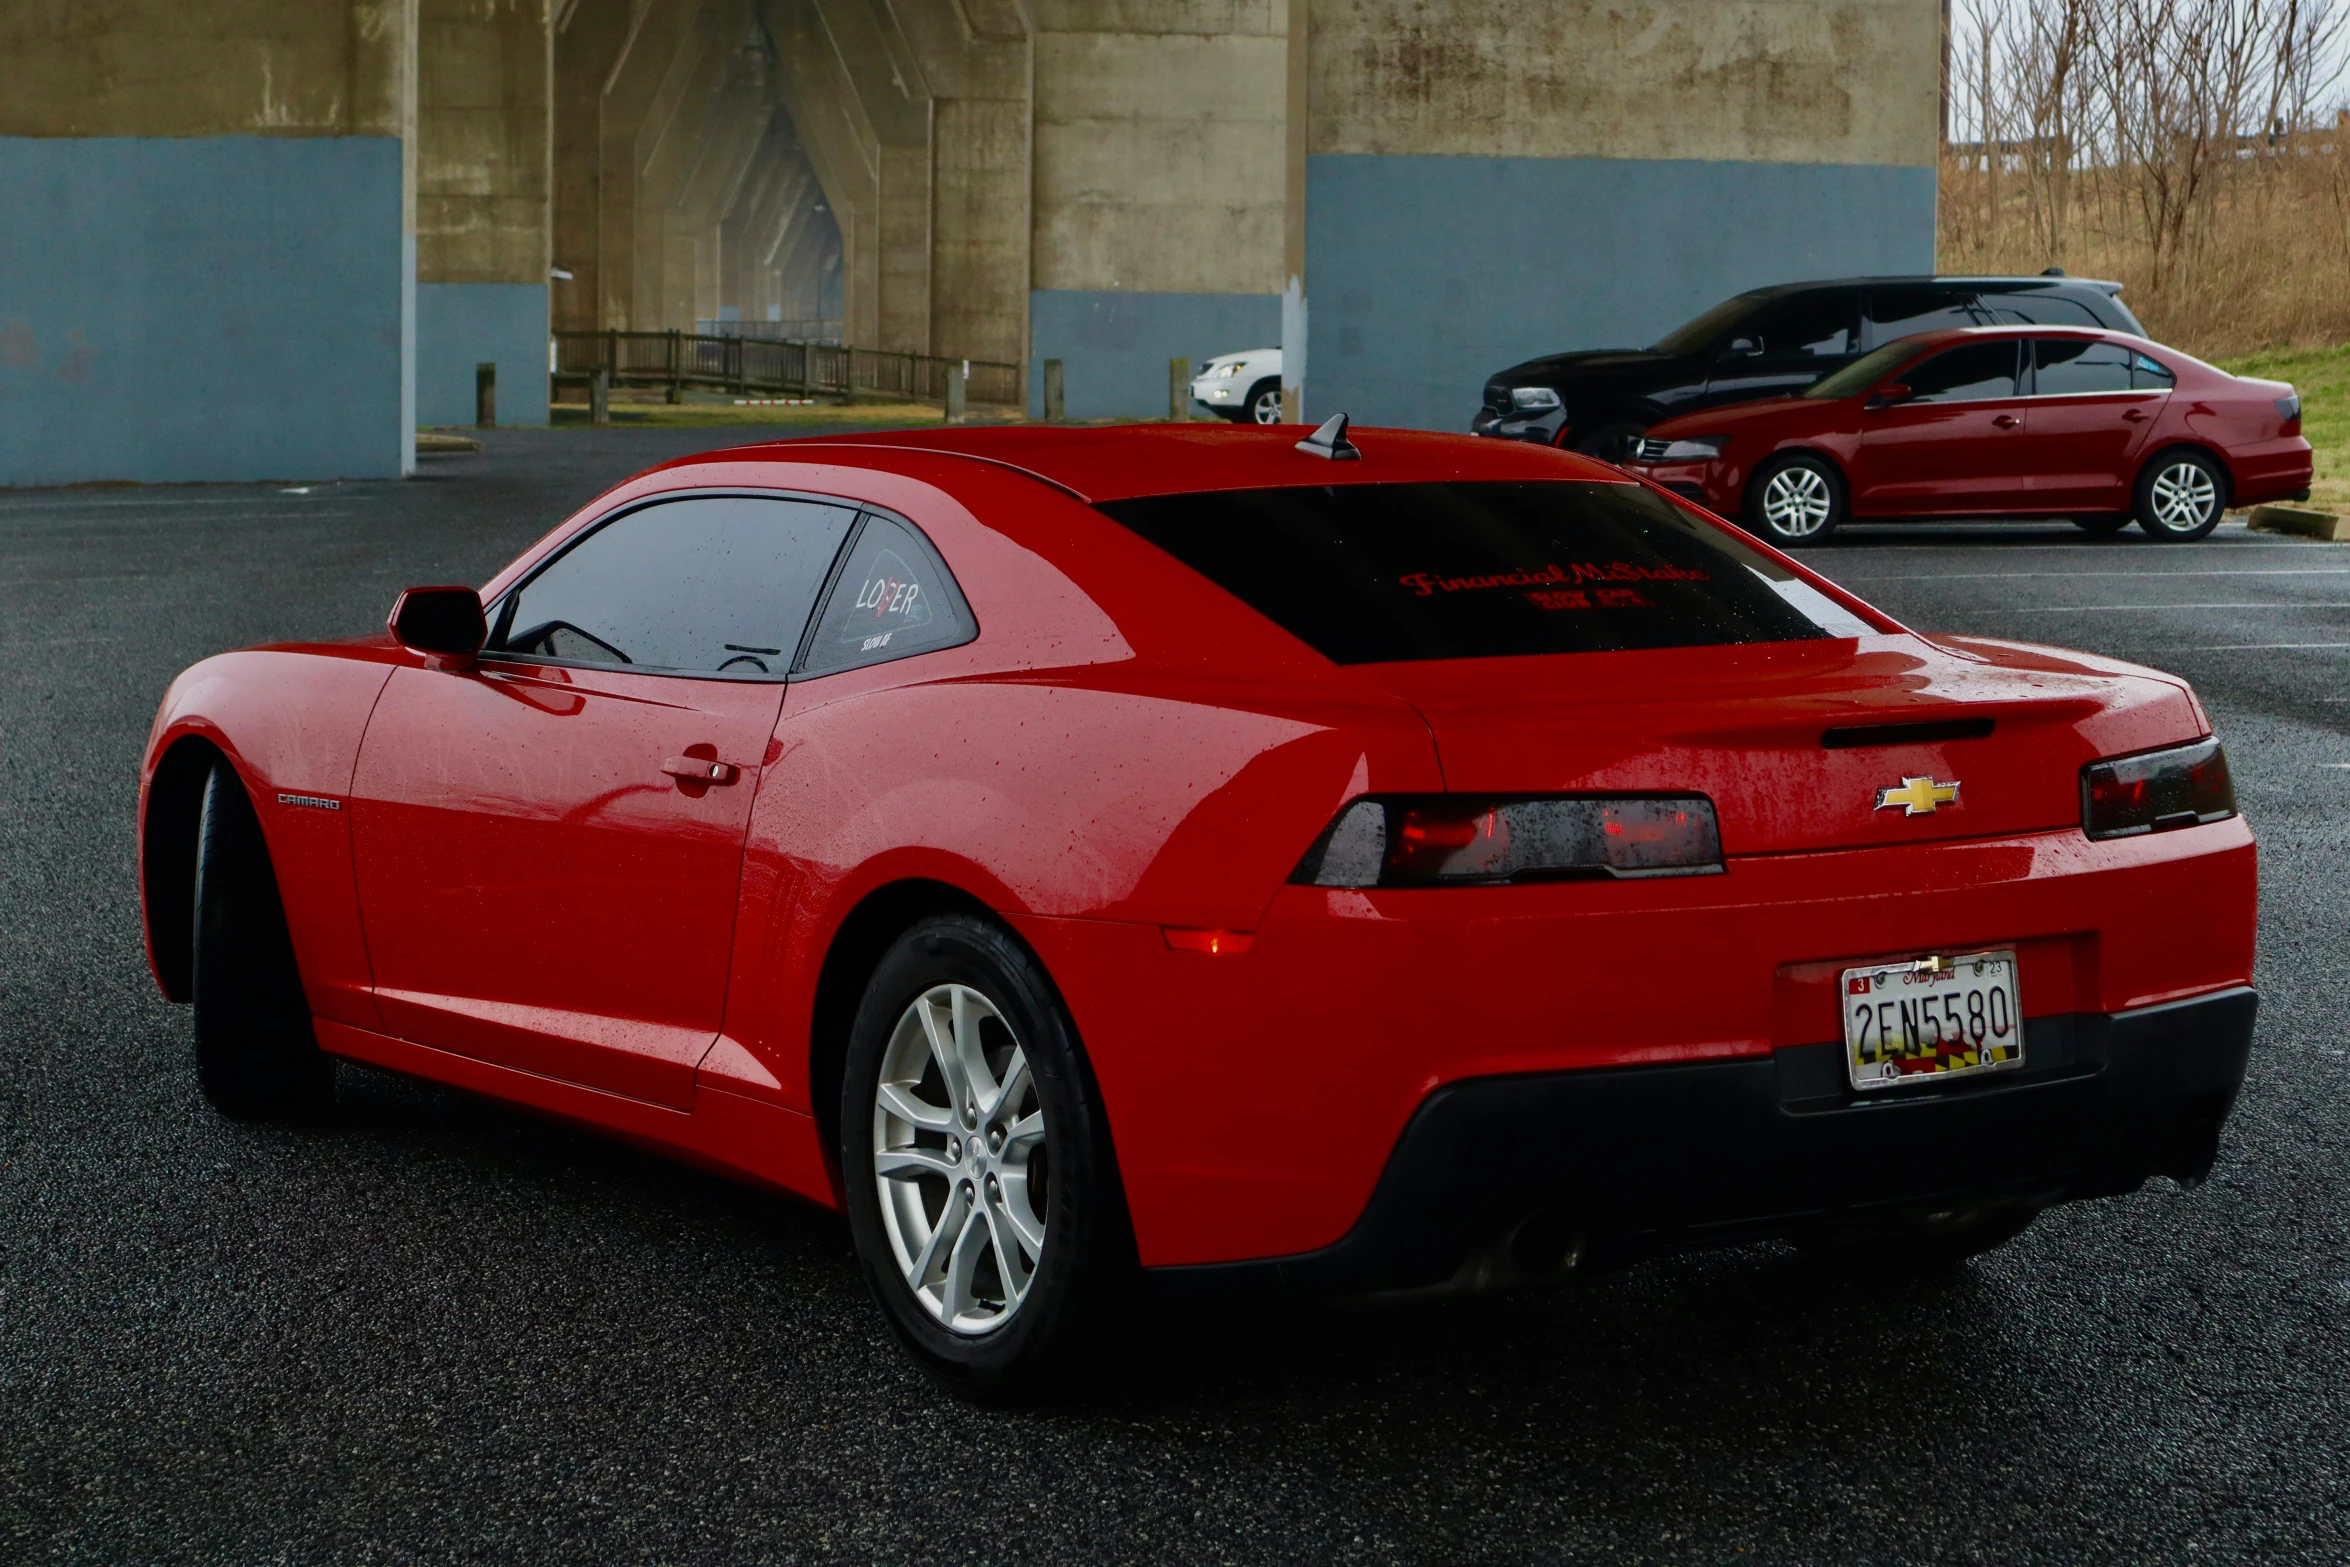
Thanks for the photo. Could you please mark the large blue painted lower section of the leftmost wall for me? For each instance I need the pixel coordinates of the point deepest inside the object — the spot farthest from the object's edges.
(201, 309)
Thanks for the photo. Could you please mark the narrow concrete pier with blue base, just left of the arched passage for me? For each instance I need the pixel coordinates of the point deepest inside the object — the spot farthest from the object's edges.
(483, 206)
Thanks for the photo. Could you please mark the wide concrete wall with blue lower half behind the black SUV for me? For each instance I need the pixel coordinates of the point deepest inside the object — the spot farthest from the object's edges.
(1489, 182)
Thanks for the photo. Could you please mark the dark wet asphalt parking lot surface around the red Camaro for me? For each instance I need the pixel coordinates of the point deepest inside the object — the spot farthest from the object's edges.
(436, 1331)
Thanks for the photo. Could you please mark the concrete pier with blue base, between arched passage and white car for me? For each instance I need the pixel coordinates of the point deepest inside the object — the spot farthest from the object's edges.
(1160, 173)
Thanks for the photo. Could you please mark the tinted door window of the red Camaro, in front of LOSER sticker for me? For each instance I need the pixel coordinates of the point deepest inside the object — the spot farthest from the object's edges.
(704, 586)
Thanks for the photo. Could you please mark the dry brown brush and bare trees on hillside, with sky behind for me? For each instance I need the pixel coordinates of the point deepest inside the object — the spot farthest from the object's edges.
(2187, 149)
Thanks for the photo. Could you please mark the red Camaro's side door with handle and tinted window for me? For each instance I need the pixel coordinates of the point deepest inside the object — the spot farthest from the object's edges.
(549, 840)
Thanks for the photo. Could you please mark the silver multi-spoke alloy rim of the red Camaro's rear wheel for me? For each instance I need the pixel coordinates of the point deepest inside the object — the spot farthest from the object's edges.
(960, 1159)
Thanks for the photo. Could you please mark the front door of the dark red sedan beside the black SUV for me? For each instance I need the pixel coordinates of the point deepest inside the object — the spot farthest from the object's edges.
(1952, 448)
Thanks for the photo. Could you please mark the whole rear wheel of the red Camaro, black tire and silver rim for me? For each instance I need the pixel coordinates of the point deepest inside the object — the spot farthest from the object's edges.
(976, 1162)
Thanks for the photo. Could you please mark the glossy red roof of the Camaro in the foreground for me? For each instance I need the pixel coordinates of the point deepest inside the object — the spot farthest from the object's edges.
(1127, 462)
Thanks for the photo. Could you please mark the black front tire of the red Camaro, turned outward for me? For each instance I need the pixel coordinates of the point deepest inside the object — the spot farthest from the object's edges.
(255, 1049)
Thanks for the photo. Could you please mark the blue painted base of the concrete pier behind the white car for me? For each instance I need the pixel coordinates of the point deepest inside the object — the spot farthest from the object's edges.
(1115, 344)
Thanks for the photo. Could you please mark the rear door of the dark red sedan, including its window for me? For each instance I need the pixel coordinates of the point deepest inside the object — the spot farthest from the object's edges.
(2088, 419)
